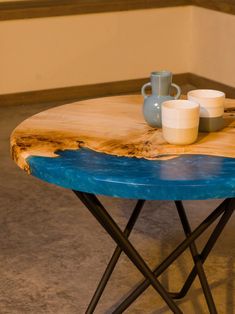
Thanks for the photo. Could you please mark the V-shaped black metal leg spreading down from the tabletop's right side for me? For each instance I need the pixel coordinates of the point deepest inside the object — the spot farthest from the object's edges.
(226, 207)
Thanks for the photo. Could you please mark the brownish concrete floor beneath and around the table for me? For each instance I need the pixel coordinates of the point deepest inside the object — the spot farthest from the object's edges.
(53, 252)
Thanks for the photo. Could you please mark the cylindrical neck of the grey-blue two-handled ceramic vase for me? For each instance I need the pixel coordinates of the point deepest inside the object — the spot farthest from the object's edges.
(161, 82)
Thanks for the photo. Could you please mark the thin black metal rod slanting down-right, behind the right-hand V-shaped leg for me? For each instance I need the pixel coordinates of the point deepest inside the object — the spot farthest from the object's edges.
(196, 258)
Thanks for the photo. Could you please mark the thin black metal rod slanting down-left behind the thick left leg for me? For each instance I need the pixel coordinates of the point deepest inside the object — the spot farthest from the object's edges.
(114, 259)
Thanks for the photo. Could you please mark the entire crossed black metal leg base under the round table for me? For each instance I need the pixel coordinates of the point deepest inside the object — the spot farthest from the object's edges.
(224, 210)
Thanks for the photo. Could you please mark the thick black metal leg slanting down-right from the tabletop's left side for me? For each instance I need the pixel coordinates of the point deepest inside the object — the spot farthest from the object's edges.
(115, 232)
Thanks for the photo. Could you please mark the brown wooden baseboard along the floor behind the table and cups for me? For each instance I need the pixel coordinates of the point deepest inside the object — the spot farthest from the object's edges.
(74, 93)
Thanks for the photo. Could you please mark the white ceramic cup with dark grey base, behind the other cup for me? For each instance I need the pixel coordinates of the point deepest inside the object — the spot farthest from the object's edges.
(211, 108)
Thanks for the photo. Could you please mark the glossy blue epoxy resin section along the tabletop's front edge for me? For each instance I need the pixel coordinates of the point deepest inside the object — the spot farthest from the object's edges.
(188, 177)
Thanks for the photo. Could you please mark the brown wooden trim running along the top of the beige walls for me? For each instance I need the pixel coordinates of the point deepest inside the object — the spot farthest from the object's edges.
(48, 8)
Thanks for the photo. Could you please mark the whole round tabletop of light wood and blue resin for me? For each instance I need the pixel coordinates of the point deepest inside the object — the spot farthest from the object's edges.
(104, 146)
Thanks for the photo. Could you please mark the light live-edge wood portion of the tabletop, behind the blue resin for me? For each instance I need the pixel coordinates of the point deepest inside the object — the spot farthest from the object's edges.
(111, 125)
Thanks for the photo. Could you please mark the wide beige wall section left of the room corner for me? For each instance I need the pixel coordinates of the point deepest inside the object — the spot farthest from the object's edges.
(84, 49)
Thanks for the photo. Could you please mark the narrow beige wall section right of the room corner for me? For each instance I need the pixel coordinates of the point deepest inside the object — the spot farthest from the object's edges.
(213, 49)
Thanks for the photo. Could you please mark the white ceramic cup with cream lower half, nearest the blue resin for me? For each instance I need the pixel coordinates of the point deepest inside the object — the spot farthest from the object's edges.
(180, 121)
